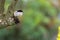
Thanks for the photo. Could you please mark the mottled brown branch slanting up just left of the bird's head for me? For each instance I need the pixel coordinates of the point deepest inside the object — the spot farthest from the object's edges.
(10, 10)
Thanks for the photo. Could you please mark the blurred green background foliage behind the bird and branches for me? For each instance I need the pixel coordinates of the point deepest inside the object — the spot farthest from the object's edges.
(40, 20)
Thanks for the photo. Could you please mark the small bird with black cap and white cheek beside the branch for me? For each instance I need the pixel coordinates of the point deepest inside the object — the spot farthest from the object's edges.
(17, 16)
